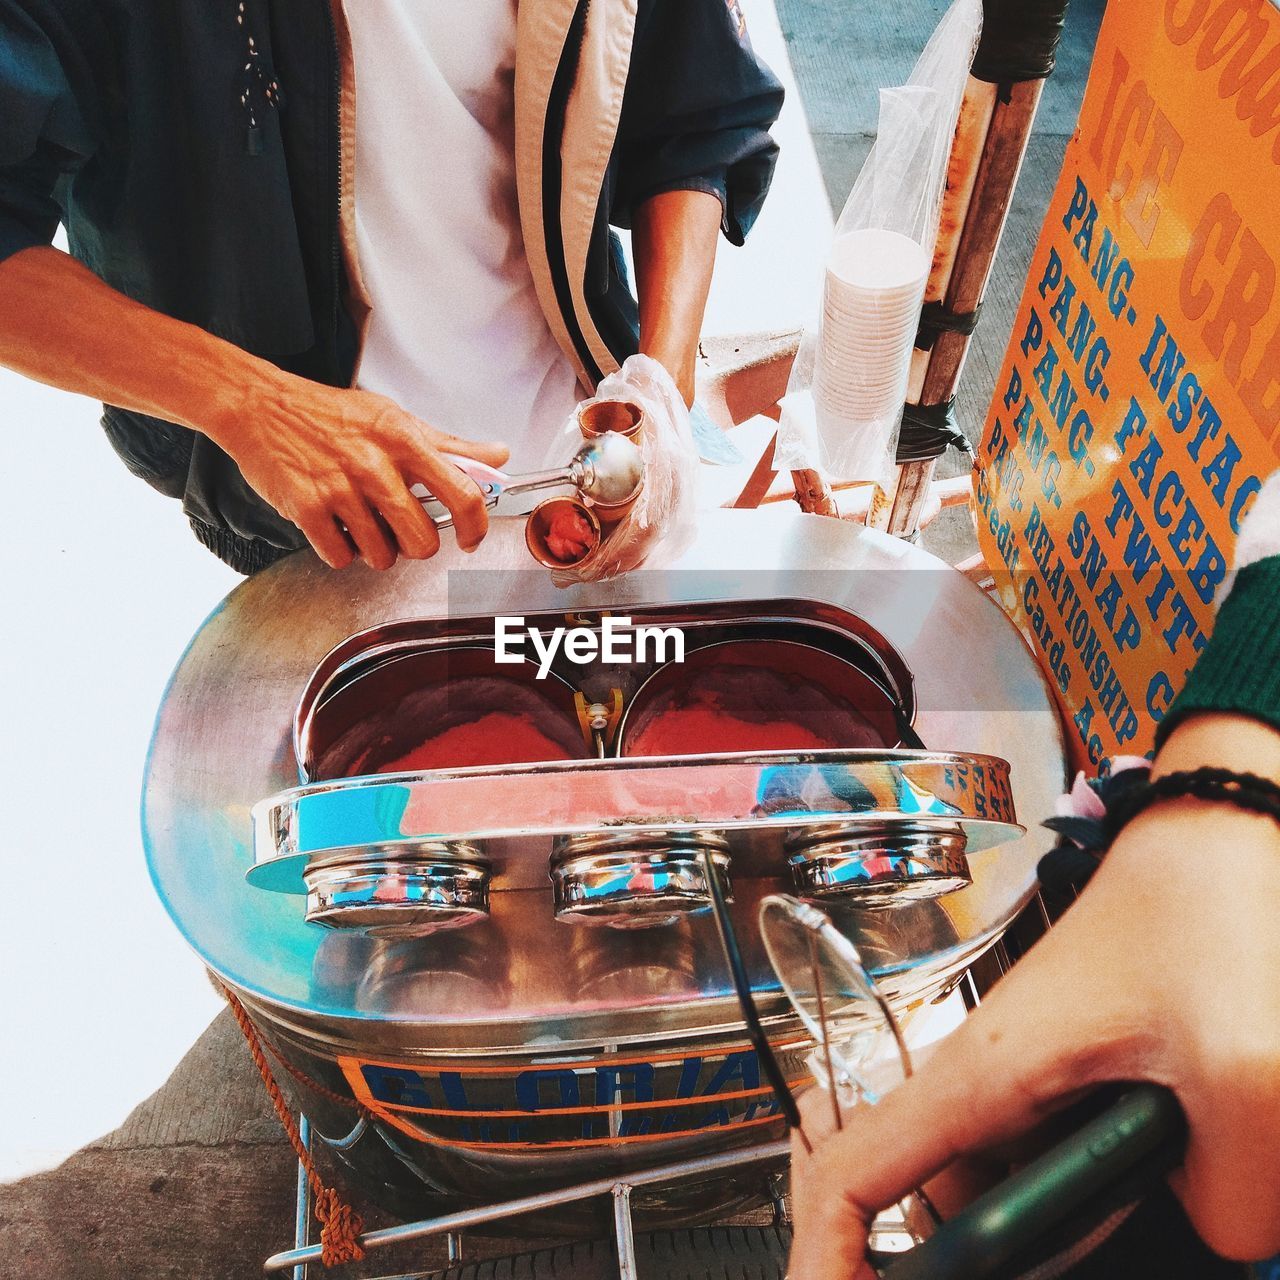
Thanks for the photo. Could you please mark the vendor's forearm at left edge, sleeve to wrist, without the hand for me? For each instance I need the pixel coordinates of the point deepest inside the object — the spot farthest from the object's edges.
(62, 326)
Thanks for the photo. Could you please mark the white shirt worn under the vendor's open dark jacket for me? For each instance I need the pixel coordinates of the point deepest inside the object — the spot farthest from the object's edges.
(458, 336)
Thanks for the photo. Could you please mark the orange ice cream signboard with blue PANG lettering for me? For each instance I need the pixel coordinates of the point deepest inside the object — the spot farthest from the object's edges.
(1139, 408)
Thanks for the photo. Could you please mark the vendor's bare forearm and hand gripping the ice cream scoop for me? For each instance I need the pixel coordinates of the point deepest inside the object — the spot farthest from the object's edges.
(337, 463)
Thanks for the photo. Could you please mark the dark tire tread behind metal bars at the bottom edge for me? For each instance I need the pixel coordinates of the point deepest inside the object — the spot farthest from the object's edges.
(700, 1254)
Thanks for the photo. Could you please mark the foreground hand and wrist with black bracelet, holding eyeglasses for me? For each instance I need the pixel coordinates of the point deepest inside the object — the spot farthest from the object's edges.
(1167, 970)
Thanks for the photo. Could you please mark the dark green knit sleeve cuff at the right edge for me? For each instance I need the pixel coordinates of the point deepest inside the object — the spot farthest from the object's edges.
(1240, 670)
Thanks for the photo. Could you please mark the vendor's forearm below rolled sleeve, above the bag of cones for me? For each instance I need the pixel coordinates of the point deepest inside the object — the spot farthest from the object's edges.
(674, 240)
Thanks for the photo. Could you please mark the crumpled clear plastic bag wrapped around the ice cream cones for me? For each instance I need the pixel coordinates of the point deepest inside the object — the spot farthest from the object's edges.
(662, 520)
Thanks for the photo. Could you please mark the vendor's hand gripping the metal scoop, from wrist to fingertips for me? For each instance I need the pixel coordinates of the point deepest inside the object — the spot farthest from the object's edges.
(333, 460)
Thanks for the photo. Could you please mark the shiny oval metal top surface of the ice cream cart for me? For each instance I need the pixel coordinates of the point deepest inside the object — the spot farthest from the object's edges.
(225, 743)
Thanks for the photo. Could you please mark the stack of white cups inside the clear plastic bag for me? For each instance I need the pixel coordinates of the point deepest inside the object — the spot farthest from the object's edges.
(871, 313)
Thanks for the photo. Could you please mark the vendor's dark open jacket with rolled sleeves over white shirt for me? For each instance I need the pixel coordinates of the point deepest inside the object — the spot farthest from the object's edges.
(186, 181)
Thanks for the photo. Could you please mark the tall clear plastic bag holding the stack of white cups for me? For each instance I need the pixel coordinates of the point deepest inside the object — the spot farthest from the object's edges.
(849, 381)
